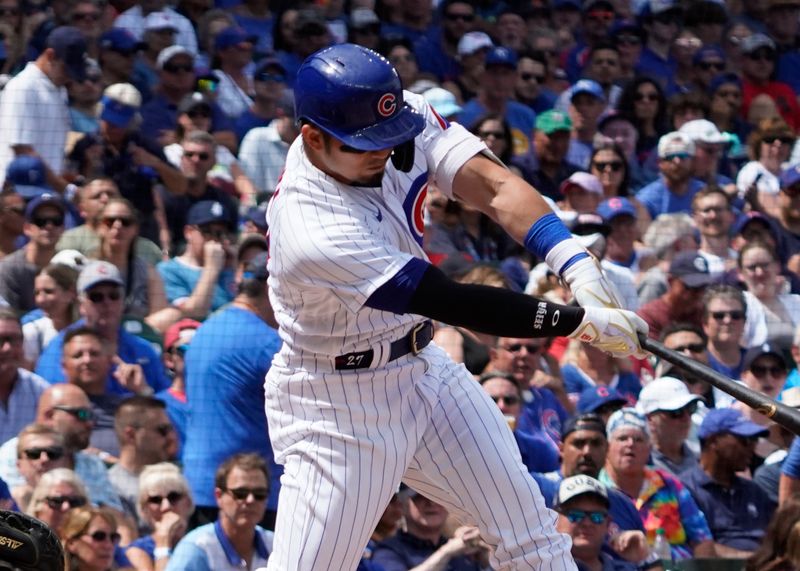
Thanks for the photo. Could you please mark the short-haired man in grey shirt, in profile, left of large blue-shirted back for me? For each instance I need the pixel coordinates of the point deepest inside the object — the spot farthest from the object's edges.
(146, 437)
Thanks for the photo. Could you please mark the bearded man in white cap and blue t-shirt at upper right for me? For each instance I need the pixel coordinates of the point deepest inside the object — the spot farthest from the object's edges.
(675, 188)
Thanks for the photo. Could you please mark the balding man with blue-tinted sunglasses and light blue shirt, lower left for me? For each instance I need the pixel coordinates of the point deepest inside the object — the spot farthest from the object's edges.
(66, 409)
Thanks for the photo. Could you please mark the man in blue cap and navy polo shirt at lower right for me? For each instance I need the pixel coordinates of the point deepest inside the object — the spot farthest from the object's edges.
(736, 509)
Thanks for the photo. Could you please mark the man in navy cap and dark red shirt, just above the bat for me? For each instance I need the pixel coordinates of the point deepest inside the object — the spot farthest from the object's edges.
(688, 278)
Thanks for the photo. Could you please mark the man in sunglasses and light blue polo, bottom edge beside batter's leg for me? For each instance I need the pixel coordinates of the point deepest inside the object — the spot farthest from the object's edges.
(234, 540)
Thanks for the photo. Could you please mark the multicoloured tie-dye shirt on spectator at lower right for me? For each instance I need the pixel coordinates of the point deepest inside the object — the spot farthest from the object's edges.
(664, 503)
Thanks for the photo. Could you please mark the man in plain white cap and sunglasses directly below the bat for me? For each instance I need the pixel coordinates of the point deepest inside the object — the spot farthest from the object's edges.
(669, 406)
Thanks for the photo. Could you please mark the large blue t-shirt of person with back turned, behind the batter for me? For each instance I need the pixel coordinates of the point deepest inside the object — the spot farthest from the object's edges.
(226, 363)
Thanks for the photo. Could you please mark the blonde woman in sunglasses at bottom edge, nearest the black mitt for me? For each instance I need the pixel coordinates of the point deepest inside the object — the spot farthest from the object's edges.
(89, 536)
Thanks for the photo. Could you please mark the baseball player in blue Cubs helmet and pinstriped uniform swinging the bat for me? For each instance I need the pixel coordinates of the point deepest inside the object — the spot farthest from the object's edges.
(358, 398)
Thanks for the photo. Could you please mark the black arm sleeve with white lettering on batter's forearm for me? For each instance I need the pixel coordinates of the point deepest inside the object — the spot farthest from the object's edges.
(491, 310)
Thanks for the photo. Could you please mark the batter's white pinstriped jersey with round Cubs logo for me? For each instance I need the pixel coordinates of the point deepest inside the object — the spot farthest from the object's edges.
(332, 245)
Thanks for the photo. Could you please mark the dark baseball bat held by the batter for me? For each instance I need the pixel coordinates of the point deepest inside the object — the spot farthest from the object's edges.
(786, 416)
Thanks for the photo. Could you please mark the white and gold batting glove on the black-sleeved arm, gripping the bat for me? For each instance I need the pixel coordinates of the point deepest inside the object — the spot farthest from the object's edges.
(615, 331)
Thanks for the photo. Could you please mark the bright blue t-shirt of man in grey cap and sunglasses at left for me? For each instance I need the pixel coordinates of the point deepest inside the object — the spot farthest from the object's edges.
(130, 348)
